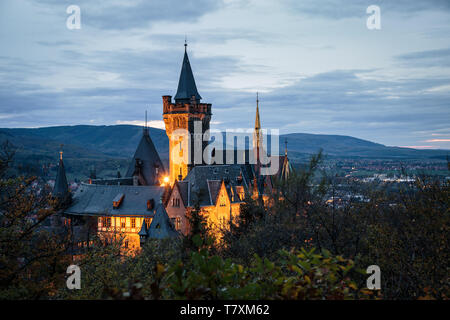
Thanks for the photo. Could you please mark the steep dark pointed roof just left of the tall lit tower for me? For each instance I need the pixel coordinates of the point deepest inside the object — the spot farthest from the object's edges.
(145, 162)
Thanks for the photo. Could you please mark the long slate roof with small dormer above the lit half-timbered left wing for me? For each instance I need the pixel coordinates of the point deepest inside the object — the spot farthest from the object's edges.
(94, 199)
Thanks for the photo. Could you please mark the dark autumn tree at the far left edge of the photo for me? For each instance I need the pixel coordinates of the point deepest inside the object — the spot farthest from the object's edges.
(33, 255)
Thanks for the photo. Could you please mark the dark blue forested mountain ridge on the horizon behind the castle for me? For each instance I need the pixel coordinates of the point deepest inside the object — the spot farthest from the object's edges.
(120, 141)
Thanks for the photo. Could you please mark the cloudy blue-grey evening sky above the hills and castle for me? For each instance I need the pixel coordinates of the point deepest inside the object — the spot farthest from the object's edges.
(317, 67)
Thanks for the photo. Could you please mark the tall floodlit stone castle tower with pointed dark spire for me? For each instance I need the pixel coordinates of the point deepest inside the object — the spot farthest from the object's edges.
(186, 122)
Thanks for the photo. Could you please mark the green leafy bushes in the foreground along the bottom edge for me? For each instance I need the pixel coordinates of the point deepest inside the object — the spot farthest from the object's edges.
(302, 274)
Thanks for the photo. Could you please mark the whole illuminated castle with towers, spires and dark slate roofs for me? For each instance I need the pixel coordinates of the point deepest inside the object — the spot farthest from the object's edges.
(151, 202)
